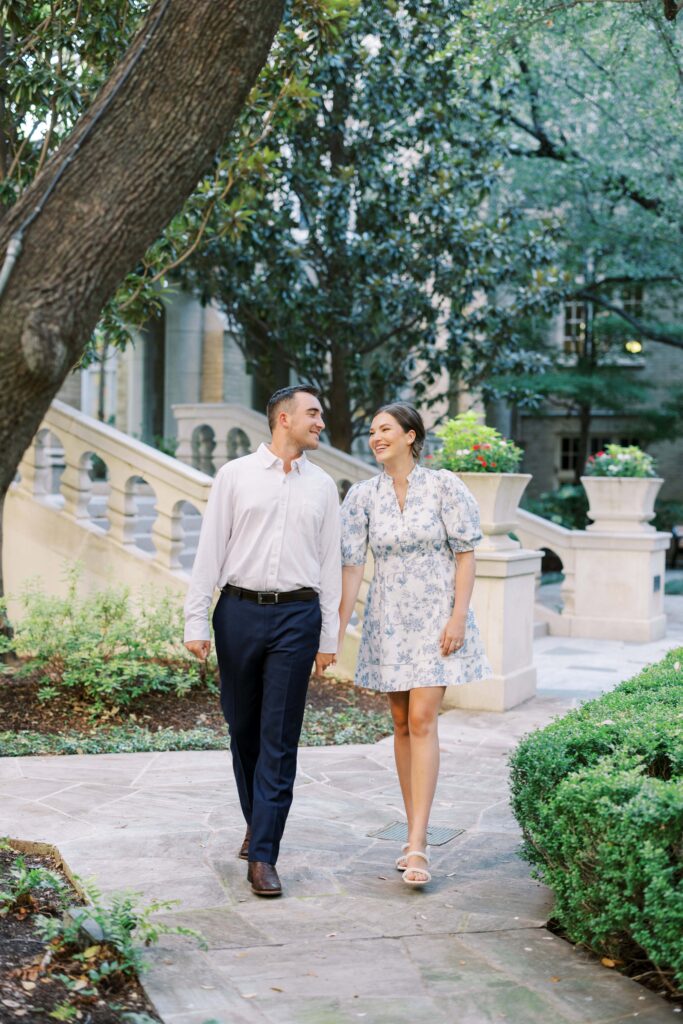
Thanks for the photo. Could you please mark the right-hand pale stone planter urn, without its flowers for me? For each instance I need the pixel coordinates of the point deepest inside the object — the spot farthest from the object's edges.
(622, 504)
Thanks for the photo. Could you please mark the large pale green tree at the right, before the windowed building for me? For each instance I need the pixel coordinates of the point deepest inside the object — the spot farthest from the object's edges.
(590, 104)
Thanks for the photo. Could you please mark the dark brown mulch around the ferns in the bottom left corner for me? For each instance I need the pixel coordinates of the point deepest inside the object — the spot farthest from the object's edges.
(29, 989)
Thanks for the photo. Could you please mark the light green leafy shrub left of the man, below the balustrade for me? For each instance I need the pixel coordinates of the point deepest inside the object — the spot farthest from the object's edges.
(105, 649)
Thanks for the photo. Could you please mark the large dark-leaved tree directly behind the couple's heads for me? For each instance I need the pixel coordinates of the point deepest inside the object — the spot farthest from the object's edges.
(376, 260)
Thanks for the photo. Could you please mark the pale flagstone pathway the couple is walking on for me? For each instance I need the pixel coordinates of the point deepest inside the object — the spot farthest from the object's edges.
(350, 942)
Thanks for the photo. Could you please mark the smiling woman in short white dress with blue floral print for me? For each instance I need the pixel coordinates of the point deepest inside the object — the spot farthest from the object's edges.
(418, 635)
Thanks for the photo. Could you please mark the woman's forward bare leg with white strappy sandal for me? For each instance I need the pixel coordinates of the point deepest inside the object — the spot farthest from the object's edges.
(423, 710)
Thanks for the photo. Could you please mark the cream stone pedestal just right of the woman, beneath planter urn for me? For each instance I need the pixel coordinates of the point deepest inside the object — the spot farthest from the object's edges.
(503, 604)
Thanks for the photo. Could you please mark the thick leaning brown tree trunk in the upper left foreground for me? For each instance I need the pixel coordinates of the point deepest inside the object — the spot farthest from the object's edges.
(126, 169)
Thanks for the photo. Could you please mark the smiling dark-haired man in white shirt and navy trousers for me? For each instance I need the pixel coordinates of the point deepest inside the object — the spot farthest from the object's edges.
(271, 541)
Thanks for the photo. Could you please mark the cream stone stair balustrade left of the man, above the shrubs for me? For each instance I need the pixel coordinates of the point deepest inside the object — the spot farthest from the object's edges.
(113, 488)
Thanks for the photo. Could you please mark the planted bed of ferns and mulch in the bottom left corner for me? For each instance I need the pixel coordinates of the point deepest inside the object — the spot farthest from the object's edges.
(53, 969)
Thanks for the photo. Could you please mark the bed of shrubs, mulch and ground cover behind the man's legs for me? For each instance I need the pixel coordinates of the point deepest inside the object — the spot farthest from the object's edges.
(108, 673)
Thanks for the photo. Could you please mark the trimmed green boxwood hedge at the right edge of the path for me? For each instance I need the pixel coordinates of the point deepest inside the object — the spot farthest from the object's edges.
(600, 797)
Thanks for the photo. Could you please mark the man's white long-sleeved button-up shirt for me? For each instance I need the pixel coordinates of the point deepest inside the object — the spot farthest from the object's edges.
(270, 531)
